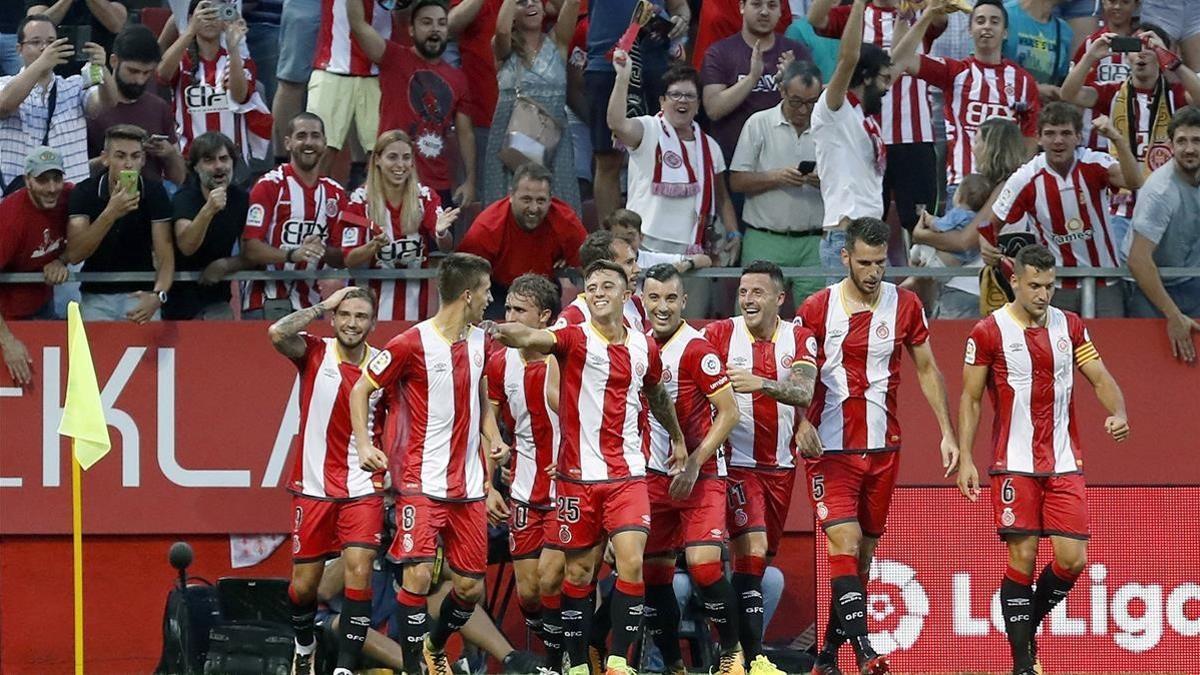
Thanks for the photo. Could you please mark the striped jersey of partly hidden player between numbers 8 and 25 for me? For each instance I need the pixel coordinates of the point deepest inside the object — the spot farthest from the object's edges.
(519, 390)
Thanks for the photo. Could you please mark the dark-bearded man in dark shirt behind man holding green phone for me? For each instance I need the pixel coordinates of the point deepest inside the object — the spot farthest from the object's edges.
(135, 62)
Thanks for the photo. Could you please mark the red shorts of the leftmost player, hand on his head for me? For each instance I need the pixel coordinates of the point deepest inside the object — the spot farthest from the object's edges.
(322, 529)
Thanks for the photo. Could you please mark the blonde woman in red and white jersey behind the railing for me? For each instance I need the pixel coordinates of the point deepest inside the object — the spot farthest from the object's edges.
(393, 223)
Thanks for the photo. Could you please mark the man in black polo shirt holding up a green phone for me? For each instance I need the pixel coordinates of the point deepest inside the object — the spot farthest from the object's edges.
(121, 222)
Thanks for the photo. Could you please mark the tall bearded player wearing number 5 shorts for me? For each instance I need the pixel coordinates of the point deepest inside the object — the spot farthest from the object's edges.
(853, 429)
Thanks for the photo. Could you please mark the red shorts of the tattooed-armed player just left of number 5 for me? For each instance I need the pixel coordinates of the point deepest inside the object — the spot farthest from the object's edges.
(759, 503)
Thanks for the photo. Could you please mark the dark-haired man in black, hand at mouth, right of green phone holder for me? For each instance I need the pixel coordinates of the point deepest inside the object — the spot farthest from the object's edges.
(209, 218)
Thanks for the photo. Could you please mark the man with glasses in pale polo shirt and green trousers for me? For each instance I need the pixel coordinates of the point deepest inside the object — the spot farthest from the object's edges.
(775, 166)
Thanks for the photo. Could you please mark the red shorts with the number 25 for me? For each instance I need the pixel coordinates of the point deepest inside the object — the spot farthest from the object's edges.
(586, 511)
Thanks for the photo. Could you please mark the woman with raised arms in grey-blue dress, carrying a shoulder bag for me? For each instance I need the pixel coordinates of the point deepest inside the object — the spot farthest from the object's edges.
(532, 64)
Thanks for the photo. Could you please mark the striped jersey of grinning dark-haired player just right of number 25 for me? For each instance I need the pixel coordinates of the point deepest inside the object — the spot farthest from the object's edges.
(693, 373)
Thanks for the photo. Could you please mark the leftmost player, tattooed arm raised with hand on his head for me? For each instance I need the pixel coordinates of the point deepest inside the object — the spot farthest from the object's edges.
(338, 506)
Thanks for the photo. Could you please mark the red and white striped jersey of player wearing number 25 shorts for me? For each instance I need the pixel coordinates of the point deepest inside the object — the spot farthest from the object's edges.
(601, 403)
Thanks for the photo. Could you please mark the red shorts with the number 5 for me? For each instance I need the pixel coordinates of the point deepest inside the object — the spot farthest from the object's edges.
(849, 488)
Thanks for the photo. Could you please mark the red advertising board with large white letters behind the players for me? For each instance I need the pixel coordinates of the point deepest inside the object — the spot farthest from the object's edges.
(203, 419)
